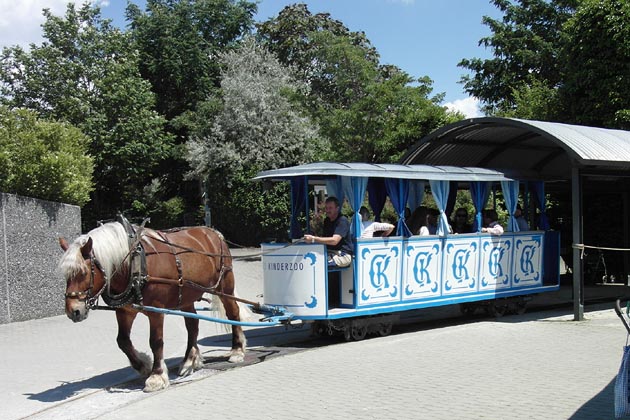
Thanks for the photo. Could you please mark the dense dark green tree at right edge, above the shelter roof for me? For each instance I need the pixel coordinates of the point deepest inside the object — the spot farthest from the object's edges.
(596, 64)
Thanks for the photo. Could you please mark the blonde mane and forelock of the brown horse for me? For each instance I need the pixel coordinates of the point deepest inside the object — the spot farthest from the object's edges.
(110, 244)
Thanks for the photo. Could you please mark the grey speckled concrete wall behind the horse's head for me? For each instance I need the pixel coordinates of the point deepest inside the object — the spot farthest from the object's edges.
(30, 286)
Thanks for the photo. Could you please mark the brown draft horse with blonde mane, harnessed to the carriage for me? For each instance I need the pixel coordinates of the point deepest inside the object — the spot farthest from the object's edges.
(180, 265)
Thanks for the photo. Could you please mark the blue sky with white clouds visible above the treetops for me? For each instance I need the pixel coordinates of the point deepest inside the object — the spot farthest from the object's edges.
(423, 37)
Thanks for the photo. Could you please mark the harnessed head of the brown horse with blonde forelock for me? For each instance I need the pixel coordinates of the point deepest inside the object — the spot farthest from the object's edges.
(83, 274)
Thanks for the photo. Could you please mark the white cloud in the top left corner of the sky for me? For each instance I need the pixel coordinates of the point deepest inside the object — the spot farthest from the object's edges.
(20, 21)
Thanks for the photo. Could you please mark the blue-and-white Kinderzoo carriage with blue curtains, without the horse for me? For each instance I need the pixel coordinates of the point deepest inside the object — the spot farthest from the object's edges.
(406, 272)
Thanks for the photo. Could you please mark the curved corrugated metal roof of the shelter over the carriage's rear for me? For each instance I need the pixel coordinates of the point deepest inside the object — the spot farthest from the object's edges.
(530, 148)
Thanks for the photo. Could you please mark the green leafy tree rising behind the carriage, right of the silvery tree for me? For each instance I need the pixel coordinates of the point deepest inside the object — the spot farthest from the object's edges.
(367, 111)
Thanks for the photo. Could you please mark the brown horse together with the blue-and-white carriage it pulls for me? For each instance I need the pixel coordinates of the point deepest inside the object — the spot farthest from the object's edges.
(161, 273)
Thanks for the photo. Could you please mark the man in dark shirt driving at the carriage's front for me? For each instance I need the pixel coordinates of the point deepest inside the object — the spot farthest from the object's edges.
(336, 236)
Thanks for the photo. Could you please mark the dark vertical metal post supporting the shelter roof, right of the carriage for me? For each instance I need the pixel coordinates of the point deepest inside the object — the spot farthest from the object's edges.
(576, 205)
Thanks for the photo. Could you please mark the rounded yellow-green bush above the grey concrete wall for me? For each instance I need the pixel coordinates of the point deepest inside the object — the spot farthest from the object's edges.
(43, 159)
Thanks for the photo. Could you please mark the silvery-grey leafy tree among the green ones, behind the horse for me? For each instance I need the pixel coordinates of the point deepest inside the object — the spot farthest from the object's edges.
(258, 125)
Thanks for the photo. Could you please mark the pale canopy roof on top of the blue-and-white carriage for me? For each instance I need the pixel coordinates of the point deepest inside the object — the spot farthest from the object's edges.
(325, 170)
